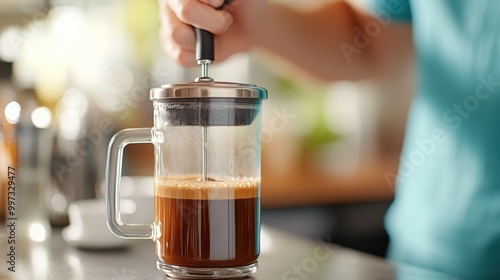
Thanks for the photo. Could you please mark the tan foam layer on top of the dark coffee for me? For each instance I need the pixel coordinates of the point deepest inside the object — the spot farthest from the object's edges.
(195, 189)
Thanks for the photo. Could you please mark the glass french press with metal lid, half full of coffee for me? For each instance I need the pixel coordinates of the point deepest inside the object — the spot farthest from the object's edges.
(207, 147)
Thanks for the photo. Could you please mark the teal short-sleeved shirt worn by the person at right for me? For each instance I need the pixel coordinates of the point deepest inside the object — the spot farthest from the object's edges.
(446, 214)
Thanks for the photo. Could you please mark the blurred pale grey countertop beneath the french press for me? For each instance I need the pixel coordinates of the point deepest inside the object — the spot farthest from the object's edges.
(283, 256)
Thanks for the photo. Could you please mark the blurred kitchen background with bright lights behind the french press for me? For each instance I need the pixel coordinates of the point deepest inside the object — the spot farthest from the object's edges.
(73, 72)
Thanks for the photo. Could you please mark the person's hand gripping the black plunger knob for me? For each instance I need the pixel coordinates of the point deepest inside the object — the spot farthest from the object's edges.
(234, 27)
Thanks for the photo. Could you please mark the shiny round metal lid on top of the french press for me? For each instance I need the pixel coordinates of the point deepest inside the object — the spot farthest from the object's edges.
(208, 89)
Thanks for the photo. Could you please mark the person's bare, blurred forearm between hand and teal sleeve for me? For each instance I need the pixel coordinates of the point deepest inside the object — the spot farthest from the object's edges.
(321, 41)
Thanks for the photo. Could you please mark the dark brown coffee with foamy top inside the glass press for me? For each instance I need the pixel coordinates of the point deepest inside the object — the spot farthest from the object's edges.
(207, 224)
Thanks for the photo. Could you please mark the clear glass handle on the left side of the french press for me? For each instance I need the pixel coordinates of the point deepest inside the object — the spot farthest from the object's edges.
(113, 175)
